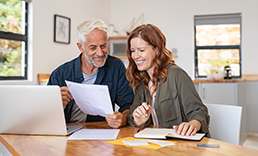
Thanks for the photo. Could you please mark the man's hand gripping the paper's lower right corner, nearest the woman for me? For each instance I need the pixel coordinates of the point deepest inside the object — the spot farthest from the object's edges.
(117, 119)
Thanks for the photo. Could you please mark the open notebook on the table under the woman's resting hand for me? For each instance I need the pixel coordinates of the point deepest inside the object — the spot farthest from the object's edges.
(164, 133)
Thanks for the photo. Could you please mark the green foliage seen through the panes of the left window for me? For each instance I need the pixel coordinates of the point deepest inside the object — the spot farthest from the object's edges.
(10, 51)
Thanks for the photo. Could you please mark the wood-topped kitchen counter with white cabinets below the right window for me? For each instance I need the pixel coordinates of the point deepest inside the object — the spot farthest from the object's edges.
(237, 92)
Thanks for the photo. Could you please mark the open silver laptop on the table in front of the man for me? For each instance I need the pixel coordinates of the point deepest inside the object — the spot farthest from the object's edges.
(32, 109)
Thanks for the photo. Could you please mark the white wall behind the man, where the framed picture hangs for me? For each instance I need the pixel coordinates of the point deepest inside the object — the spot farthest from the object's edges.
(45, 54)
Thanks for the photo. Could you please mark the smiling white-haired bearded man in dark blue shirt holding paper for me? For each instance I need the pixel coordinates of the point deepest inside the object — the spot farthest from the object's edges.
(94, 66)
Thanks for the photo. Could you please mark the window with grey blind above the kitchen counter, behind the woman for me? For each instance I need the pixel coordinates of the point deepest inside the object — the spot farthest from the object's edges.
(217, 44)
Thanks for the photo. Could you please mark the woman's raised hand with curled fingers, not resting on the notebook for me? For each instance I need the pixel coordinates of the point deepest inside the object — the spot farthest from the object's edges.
(141, 114)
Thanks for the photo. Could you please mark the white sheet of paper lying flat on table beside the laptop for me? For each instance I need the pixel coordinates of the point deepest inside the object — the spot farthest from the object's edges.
(94, 134)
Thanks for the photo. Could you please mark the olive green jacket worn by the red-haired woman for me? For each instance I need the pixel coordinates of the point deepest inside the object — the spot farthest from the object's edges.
(176, 101)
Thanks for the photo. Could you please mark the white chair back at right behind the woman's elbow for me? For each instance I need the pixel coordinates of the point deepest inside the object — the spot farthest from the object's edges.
(225, 122)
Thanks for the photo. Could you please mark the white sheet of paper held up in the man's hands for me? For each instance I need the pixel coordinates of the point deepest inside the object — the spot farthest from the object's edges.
(91, 99)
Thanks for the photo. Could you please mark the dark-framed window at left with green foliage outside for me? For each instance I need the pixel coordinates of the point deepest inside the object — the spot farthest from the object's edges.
(13, 39)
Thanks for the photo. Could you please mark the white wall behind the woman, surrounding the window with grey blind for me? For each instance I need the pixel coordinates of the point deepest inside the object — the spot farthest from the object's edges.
(175, 18)
